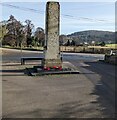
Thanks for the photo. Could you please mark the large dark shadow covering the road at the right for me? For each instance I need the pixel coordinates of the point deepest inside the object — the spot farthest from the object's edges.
(105, 87)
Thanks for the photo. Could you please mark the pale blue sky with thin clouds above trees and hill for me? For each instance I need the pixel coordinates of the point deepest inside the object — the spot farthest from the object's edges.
(75, 16)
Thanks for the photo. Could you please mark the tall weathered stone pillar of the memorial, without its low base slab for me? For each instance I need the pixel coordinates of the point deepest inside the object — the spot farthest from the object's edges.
(52, 56)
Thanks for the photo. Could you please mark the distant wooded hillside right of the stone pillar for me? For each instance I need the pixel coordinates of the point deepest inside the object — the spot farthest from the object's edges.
(93, 35)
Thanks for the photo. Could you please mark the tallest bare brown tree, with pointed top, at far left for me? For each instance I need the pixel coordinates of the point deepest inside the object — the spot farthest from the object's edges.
(13, 36)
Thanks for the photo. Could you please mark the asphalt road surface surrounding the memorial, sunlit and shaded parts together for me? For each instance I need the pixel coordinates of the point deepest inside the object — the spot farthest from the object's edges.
(90, 94)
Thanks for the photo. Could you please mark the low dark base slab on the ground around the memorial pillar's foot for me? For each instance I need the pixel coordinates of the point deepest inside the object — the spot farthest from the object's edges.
(67, 68)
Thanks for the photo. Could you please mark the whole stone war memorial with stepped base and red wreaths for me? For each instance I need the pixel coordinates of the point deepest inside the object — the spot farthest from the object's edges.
(52, 62)
